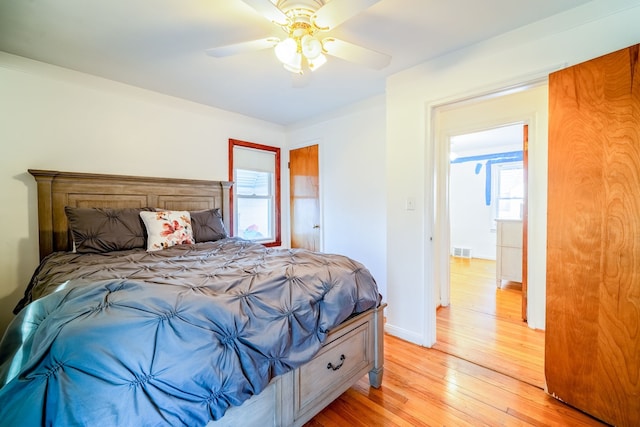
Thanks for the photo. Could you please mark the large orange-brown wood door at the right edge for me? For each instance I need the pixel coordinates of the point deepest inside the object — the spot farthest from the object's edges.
(592, 352)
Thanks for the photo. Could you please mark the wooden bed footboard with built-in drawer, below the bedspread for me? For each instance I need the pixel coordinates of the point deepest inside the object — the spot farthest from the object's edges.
(294, 398)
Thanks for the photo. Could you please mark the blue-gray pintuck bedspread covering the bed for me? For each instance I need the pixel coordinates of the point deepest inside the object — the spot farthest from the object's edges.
(171, 337)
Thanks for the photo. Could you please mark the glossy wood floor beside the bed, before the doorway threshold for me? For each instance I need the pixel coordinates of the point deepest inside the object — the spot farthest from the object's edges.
(426, 387)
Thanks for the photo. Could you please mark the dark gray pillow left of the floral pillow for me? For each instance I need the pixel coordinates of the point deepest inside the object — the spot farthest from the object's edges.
(97, 230)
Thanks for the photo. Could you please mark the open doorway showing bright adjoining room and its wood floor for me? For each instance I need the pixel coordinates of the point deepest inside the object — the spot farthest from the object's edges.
(483, 322)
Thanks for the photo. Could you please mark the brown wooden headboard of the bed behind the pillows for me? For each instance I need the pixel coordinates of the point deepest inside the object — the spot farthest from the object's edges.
(59, 189)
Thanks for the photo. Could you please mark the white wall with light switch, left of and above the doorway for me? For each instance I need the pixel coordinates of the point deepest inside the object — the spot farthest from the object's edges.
(531, 52)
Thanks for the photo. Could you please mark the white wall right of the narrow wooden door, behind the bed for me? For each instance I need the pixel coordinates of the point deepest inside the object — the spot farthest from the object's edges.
(351, 145)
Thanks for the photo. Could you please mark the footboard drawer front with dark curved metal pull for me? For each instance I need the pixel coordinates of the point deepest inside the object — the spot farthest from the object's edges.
(336, 363)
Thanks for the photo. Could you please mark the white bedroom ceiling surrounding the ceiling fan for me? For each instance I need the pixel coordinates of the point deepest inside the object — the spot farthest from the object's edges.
(159, 45)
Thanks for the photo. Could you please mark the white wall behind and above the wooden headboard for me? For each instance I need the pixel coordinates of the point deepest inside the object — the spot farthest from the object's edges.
(52, 118)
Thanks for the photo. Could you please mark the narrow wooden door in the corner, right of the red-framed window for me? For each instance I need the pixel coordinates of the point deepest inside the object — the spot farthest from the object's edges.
(304, 198)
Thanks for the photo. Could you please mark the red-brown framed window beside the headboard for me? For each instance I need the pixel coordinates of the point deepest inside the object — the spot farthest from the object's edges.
(255, 195)
